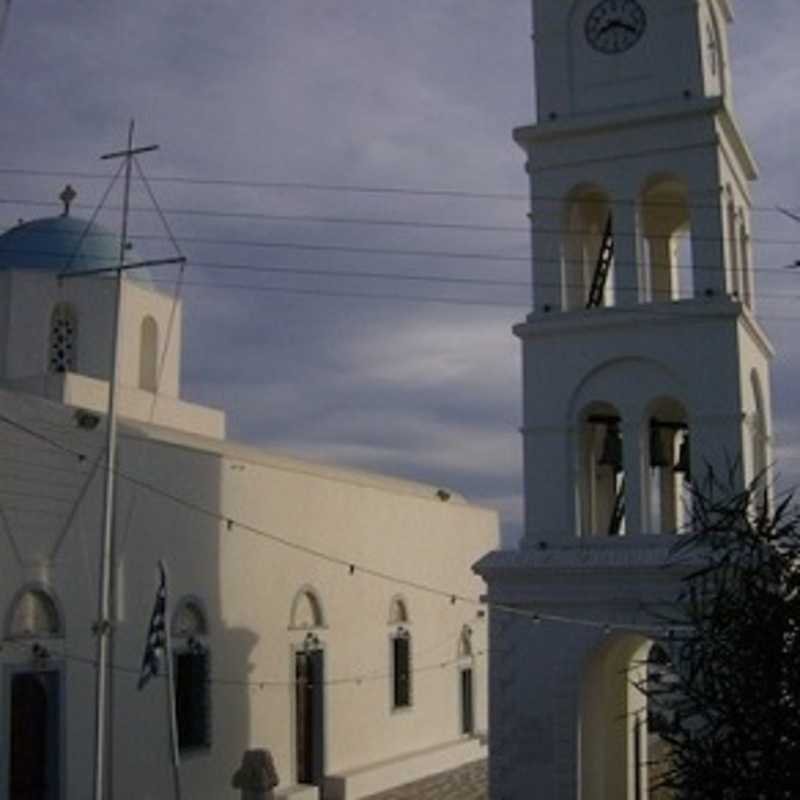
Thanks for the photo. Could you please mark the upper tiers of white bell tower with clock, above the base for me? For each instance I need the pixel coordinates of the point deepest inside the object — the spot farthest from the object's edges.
(642, 346)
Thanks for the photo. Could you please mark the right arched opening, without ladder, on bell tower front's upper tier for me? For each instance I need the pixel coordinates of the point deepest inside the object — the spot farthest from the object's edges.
(666, 225)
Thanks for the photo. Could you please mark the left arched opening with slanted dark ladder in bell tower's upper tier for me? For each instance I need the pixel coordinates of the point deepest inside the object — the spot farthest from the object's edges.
(587, 228)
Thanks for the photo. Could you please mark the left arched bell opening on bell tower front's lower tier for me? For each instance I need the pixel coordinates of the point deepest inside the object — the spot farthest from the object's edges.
(601, 478)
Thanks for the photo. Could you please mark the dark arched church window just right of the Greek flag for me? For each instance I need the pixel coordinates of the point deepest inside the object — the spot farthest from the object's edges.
(192, 671)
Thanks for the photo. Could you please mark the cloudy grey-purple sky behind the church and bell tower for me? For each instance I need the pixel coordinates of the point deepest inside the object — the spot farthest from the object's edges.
(342, 172)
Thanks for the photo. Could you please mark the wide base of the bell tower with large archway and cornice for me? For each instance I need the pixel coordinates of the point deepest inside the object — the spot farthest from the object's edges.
(570, 627)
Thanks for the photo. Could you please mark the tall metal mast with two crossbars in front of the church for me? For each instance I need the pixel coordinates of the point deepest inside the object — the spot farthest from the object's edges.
(103, 628)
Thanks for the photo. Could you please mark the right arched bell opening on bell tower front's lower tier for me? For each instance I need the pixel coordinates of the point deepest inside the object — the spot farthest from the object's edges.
(669, 465)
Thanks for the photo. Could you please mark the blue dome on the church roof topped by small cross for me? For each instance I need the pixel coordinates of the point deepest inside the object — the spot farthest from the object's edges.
(63, 244)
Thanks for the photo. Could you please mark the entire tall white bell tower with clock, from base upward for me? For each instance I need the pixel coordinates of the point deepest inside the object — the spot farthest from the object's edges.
(644, 367)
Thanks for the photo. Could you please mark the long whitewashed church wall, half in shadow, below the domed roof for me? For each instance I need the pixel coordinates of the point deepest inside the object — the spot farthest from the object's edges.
(246, 584)
